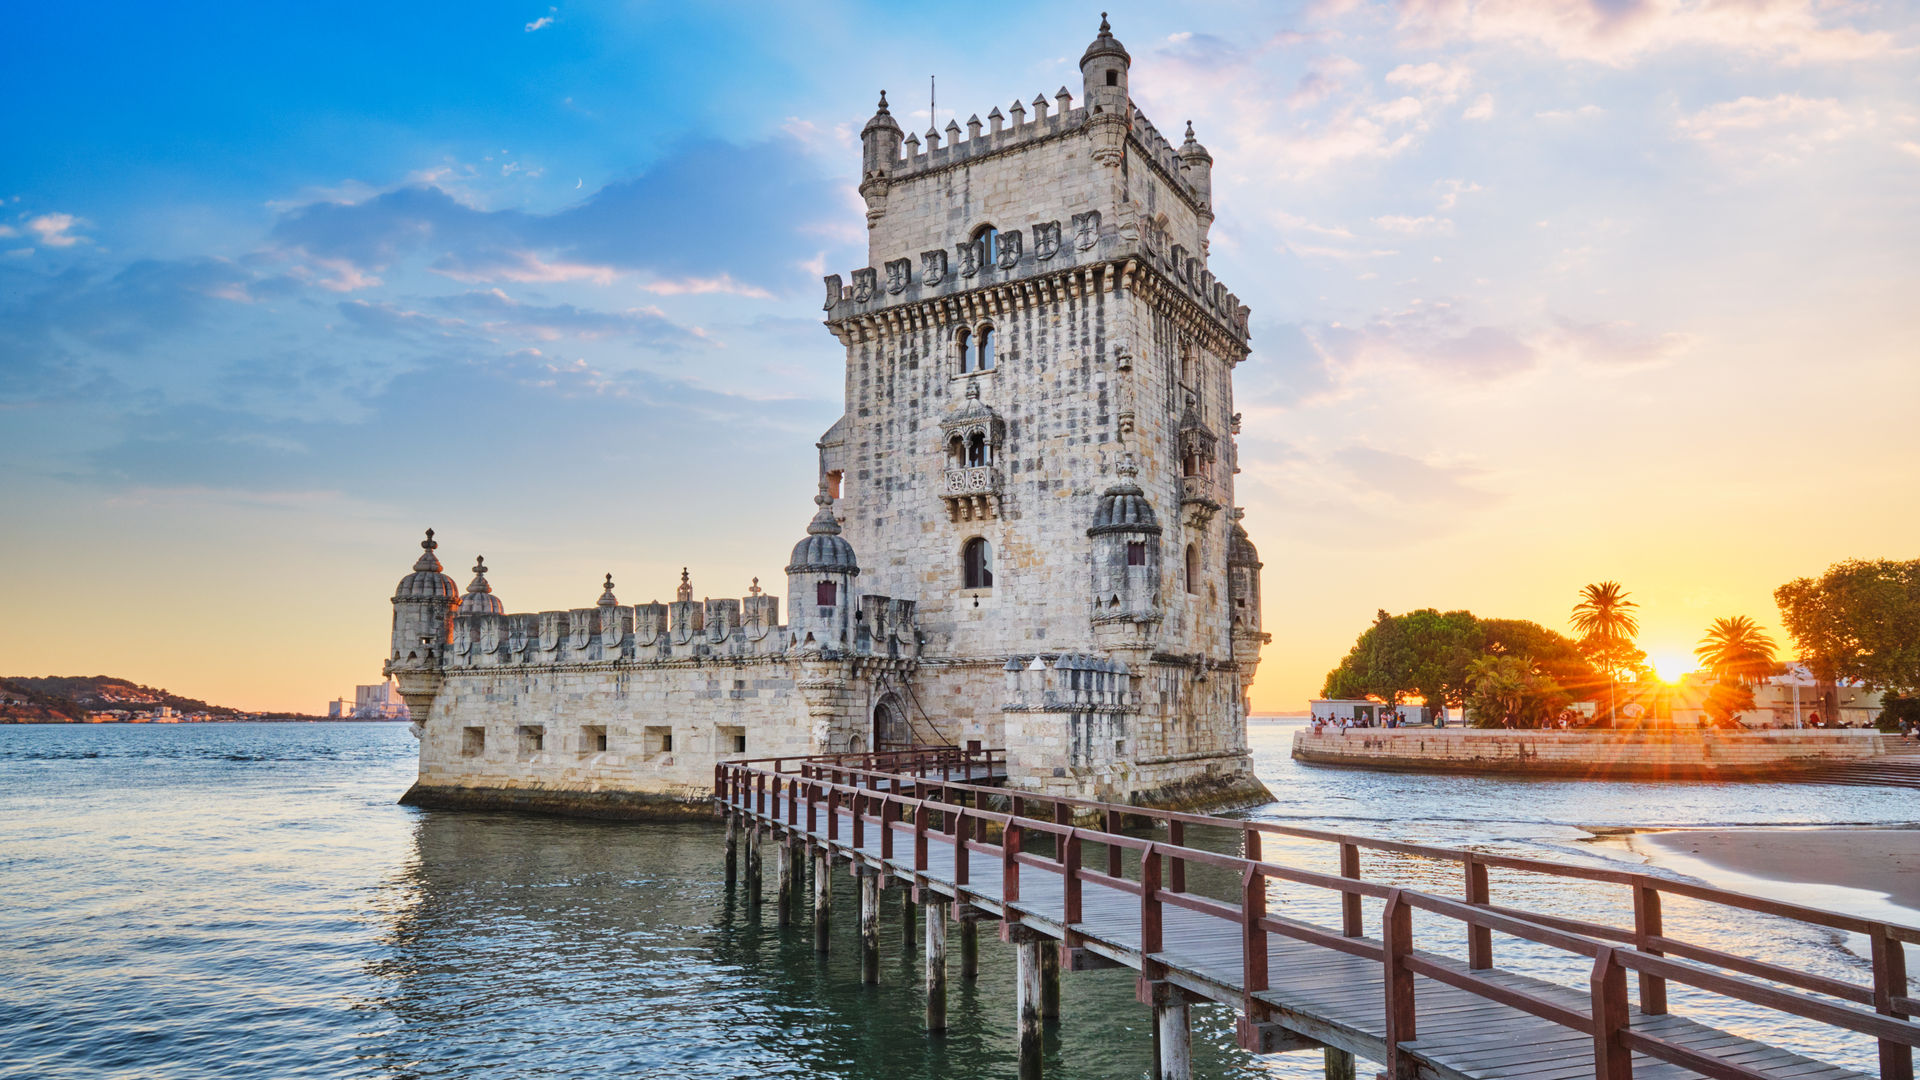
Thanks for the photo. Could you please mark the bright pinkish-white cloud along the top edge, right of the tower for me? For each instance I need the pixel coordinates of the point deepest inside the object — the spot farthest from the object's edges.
(1625, 32)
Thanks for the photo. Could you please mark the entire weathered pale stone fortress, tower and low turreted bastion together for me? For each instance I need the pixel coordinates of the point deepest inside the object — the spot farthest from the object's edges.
(1024, 531)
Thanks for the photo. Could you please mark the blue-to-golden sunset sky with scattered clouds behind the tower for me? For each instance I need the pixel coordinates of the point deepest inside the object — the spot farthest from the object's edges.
(1545, 293)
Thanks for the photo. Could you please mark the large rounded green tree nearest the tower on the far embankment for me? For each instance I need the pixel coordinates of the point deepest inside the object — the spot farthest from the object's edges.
(1420, 654)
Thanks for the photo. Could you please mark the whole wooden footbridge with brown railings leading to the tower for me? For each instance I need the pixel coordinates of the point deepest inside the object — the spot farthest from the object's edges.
(1080, 885)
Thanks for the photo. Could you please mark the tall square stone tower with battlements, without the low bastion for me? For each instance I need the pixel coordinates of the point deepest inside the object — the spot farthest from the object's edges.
(1040, 424)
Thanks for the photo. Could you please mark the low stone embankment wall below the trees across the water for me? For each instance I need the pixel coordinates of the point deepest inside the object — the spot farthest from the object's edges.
(1600, 756)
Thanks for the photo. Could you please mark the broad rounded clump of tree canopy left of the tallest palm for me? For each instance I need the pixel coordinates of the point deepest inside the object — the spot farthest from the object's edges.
(1431, 654)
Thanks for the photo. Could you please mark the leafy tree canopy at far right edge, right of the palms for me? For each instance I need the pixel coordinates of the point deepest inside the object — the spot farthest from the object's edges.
(1860, 620)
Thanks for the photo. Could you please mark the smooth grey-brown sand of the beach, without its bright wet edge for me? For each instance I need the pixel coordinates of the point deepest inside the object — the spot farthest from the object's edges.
(1877, 860)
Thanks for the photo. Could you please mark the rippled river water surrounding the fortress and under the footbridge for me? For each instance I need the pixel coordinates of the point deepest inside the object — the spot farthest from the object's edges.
(249, 900)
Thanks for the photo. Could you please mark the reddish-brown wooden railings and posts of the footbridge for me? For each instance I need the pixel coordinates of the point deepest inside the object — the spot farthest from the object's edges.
(817, 797)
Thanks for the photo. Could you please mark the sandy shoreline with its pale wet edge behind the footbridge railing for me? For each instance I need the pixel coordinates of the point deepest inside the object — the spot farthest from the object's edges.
(1873, 871)
